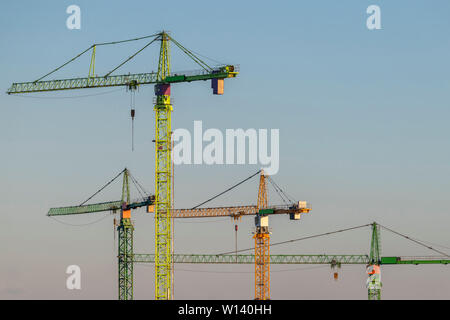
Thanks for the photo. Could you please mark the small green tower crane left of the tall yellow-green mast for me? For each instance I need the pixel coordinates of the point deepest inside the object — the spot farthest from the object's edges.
(125, 228)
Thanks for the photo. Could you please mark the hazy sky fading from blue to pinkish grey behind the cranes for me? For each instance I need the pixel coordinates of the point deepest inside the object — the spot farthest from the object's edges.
(363, 119)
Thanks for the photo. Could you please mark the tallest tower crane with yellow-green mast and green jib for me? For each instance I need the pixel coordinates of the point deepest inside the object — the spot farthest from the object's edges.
(162, 79)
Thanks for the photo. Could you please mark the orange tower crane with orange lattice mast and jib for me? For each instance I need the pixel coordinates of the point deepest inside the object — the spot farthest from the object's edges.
(261, 212)
